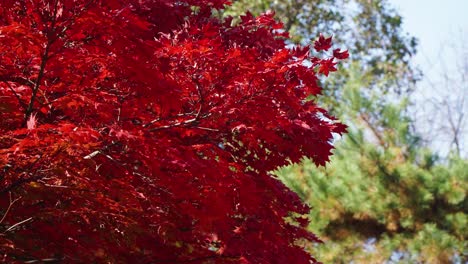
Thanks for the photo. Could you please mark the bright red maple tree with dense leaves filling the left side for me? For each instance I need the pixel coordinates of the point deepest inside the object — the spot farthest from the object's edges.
(143, 131)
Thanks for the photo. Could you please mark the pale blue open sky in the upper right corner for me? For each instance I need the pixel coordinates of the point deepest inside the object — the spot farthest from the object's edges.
(442, 30)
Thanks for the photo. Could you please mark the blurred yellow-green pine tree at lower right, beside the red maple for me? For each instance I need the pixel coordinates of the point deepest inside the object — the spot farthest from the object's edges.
(383, 195)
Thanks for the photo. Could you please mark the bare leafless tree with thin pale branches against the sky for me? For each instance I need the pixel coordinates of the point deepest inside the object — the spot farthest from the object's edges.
(442, 119)
